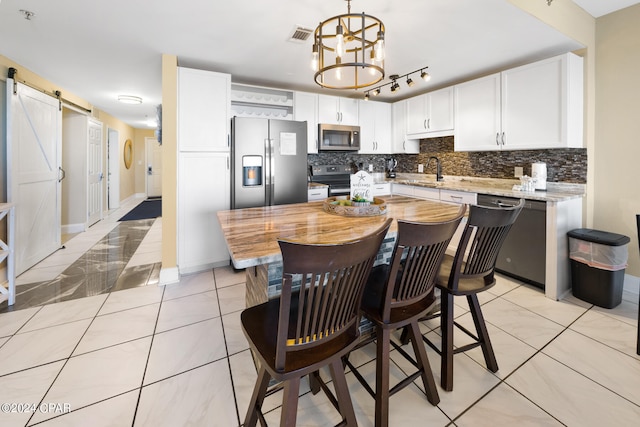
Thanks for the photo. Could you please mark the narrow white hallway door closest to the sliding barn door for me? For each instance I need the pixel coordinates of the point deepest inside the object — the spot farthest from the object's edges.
(94, 172)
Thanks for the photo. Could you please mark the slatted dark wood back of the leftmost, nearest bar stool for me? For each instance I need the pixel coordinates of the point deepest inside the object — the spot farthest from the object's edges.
(321, 292)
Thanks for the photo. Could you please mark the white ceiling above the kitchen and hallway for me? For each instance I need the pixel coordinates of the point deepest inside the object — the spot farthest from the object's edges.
(99, 50)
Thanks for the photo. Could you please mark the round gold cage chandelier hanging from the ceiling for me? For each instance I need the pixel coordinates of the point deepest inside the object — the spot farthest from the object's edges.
(348, 51)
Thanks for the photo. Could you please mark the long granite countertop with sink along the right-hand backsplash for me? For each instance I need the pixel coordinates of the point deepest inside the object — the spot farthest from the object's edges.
(556, 192)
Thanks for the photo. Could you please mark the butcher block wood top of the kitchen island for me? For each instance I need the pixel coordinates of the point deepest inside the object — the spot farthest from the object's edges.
(252, 234)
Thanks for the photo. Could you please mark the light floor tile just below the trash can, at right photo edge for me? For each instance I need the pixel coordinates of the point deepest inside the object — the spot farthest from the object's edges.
(609, 331)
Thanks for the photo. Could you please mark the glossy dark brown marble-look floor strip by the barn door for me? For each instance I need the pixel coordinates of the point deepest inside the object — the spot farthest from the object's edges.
(99, 270)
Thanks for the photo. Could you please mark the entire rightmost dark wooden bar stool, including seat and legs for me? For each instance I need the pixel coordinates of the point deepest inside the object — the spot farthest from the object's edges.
(468, 273)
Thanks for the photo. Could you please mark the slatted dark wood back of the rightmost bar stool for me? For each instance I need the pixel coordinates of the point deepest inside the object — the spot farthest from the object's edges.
(481, 240)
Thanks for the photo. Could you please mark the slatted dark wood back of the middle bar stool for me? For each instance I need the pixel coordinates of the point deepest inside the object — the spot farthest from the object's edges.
(418, 253)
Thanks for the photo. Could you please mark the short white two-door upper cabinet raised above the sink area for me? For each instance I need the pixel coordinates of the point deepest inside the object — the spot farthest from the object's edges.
(431, 114)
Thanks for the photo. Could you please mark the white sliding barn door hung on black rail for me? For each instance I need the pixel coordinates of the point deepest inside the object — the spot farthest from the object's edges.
(34, 153)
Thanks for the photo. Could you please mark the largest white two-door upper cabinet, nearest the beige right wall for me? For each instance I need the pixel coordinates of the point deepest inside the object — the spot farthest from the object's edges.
(535, 106)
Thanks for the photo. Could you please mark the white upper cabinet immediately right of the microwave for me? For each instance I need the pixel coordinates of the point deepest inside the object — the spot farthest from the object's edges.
(375, 127)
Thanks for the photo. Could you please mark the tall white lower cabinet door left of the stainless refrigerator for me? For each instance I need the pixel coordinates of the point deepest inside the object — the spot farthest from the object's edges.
(203, 189)
